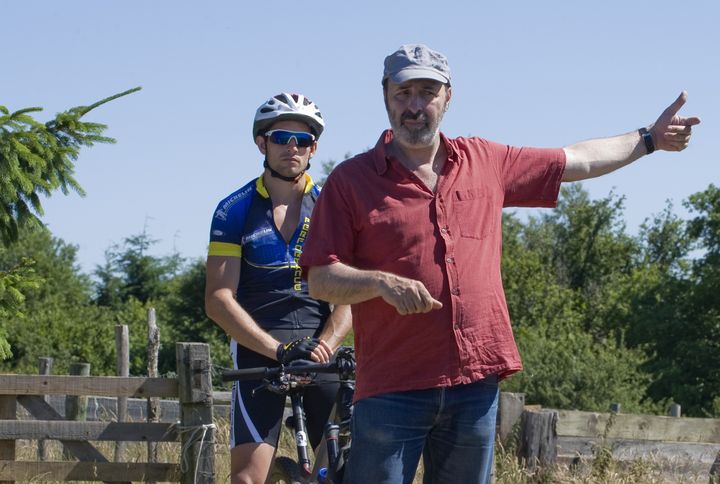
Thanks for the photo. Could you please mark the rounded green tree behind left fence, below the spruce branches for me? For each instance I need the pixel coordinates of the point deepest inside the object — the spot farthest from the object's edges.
(60, 319)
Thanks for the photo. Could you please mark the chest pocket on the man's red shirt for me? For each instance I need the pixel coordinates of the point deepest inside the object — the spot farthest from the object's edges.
(474, 213)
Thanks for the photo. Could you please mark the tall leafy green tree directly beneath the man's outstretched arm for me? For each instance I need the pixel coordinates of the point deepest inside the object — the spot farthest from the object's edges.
(567, 277)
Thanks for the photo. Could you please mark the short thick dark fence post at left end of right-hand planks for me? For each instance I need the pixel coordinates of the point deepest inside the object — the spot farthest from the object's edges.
(538, 438)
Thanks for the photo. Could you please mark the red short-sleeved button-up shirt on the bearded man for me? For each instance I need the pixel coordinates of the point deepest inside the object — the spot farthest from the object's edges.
(373, 213)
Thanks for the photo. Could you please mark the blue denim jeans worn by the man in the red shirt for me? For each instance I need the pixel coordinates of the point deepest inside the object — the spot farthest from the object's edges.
(453, 428)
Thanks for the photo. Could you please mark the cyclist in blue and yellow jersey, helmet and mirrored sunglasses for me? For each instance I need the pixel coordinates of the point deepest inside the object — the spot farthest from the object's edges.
(254, 289)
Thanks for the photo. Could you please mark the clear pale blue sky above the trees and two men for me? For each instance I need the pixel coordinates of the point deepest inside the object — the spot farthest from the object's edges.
(524, 72)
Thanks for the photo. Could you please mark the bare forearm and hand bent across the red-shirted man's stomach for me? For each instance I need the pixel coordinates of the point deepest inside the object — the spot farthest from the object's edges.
(342, 284)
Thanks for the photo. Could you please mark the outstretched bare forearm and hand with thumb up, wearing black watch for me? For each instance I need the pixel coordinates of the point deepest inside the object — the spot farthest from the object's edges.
(592, 158)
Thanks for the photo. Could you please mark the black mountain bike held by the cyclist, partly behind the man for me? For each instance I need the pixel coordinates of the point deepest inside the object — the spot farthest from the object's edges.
(291, 380)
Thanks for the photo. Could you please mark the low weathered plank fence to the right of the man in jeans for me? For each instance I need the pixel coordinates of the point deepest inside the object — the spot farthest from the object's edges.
(546, 436)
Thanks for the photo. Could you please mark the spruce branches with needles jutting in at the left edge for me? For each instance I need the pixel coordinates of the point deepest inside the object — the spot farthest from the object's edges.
(36, 159)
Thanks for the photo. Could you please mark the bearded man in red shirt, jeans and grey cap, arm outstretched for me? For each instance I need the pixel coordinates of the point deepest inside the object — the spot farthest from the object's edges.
(409, 233)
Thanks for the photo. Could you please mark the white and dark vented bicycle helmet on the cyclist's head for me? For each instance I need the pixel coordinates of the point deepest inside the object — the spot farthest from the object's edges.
(288, 106)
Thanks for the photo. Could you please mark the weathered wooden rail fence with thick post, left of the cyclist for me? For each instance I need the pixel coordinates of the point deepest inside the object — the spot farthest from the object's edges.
(195, 431)
